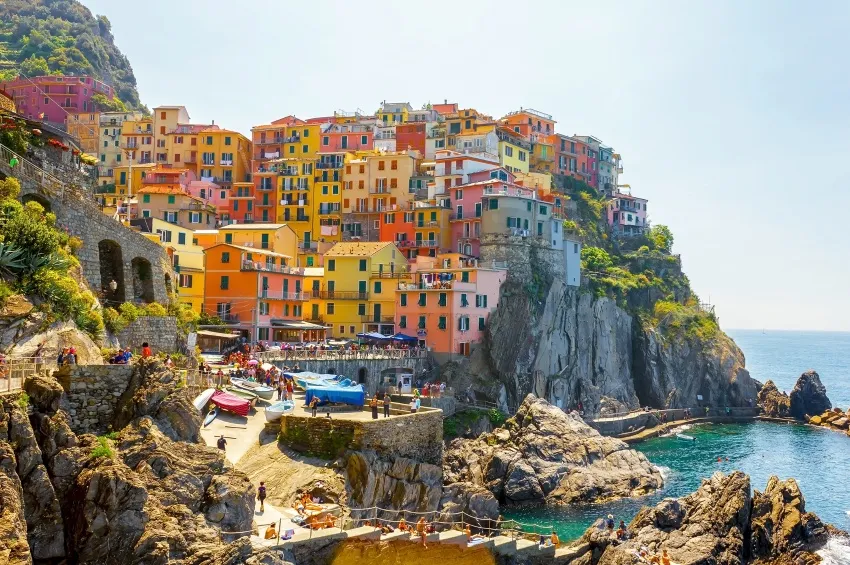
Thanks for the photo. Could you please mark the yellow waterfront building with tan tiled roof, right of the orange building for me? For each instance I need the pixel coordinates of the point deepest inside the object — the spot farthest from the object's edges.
(356, 295)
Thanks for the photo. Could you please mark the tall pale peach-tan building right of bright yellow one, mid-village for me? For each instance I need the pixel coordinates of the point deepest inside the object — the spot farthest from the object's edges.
(375, 182)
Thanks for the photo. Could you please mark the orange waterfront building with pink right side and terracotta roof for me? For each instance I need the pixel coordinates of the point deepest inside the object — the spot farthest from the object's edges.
(257, 292)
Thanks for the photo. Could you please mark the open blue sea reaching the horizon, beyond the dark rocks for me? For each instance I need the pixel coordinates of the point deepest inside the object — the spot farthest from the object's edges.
(783, 356)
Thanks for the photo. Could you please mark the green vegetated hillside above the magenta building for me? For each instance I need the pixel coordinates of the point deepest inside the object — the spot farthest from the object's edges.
(39, 37)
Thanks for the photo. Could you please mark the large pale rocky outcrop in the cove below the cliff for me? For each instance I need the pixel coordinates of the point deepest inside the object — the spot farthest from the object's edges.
(546, 455)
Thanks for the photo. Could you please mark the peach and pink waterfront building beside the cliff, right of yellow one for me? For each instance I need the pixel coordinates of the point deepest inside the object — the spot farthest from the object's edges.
(448, 303)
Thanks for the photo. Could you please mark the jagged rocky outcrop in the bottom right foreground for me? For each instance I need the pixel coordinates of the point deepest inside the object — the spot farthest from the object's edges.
(721, 523)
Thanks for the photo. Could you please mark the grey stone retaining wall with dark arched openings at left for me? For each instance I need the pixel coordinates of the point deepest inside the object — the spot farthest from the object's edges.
(110, 251)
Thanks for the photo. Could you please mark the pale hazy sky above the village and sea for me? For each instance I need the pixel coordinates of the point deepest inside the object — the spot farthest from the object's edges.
(731, 117)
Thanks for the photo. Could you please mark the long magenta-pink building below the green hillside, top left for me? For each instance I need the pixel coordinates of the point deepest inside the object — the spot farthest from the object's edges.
(55, 96)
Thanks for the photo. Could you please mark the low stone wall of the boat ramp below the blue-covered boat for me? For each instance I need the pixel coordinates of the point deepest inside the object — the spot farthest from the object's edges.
(416, 436)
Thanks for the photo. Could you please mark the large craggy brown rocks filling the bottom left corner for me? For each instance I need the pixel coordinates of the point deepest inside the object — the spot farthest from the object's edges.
(142, 496)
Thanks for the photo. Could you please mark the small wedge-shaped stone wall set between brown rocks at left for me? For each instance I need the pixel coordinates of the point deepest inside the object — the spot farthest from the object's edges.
(93, 393)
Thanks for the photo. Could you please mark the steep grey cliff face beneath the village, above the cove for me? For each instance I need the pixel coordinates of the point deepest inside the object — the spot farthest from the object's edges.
(571, 347)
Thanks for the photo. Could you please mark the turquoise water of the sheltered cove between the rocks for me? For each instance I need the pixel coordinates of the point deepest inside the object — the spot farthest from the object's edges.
(818, 458)
